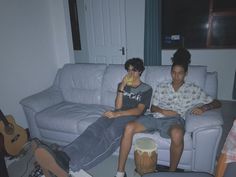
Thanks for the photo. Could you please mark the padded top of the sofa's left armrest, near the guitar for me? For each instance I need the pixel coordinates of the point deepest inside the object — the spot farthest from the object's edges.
(42, 100)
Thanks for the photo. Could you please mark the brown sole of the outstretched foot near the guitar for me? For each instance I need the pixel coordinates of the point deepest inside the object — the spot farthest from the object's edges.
(48, 163)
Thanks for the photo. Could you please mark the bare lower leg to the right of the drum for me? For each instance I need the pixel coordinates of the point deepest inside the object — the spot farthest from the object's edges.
(176, 147)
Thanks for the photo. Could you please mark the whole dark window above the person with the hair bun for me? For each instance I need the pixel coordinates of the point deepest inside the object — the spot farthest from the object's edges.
(198, 24)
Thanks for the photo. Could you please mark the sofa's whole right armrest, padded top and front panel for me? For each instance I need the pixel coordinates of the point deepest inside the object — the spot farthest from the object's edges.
(206, 130)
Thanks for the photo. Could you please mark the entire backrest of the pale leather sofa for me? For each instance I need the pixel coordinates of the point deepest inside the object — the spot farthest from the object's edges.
(97, 83)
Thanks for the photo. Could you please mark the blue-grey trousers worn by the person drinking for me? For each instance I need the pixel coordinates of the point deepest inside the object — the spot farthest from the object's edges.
(96, 143)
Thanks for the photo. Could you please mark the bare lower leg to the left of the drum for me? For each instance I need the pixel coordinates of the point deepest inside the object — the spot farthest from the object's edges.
(126, 143)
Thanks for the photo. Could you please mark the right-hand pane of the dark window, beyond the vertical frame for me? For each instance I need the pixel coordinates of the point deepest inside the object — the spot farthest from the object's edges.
(222, 24)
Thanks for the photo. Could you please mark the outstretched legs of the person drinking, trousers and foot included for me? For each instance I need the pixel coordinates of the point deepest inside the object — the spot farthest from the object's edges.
(102, 146)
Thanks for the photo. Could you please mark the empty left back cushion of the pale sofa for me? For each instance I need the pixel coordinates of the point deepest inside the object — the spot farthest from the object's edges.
(81, 83)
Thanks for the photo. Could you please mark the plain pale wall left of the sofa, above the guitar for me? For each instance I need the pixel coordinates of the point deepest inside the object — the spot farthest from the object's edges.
(34, 43)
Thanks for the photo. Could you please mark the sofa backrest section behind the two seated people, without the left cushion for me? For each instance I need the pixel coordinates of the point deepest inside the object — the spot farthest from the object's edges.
(152, 76)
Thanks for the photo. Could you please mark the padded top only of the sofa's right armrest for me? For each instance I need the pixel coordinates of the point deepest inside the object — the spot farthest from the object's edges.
(211, 118)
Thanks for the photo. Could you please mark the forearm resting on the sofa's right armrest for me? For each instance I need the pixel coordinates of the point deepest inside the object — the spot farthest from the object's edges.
(212, 105)
